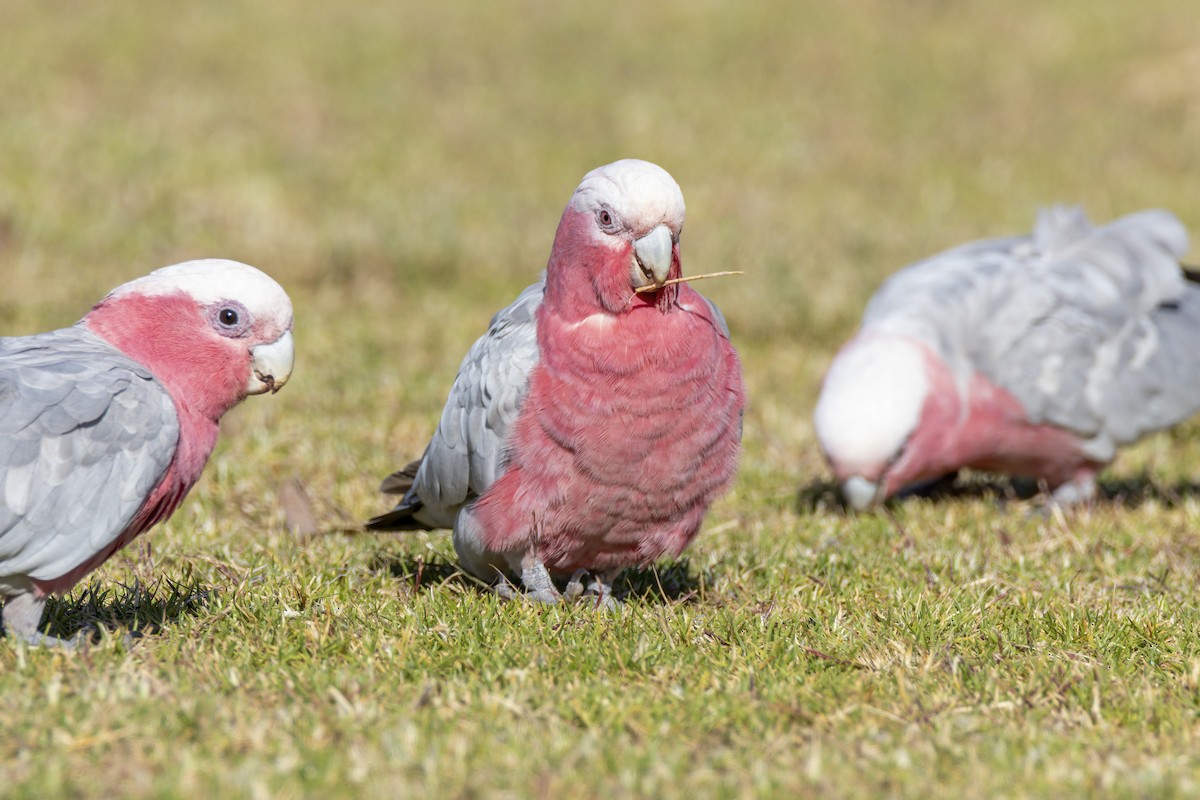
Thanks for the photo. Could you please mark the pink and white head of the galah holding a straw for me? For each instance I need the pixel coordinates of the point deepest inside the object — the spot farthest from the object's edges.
(620, 232)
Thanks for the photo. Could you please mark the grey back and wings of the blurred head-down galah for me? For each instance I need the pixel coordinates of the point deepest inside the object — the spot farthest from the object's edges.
(1093, 329)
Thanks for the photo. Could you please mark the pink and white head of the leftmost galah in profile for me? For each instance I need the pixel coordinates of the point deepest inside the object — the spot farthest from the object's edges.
(213, 332)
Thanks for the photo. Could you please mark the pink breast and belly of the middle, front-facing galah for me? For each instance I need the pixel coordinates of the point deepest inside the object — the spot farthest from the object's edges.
(631, 429)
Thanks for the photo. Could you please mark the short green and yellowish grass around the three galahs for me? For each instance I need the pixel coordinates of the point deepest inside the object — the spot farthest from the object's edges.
(401, 169)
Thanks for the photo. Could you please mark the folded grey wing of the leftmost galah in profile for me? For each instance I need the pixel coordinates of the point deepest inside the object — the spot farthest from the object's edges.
(86, 435)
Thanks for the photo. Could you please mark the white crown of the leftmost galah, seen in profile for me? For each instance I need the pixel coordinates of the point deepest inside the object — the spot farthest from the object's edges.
(212, 280)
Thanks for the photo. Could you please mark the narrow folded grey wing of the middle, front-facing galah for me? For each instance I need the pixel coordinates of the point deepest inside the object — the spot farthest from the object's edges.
(467, 453)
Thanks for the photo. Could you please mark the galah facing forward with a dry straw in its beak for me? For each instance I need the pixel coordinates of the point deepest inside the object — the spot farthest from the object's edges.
(592, 426)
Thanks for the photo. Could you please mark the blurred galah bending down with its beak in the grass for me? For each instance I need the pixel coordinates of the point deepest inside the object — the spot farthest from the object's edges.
(1035, 356)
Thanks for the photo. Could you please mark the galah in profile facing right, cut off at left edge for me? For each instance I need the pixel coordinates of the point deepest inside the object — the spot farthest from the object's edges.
(105, 426)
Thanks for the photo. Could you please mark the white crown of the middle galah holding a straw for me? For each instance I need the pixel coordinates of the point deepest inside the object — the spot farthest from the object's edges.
(640, 194)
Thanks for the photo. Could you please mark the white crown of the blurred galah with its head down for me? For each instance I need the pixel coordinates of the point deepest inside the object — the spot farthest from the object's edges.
(872, 404)
